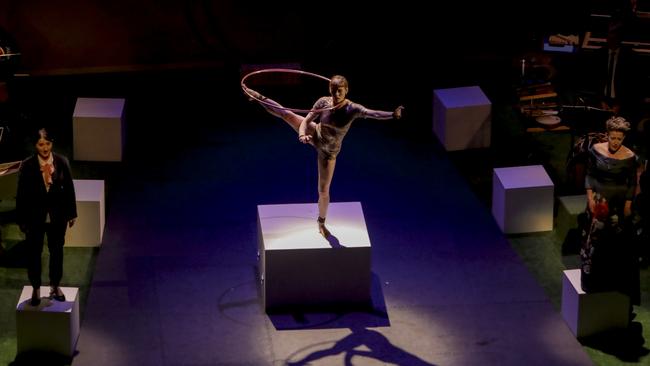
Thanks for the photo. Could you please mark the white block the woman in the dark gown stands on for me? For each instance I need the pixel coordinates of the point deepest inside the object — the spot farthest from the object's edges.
(588, 314)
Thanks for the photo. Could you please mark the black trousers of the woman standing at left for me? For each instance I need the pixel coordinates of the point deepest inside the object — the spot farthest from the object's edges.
(55, 240)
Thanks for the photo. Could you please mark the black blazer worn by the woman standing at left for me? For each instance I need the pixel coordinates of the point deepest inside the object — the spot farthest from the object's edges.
(33, 201)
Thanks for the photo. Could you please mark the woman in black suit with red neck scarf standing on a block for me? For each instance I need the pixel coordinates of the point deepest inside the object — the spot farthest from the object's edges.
(45, 204)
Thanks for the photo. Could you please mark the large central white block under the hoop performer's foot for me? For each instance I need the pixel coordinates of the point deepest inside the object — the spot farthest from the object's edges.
(301, 268)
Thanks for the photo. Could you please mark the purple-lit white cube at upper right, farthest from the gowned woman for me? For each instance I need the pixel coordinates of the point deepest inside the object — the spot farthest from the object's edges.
(462, 118)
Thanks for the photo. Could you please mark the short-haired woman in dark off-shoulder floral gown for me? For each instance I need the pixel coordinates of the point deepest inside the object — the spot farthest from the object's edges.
(609, 262)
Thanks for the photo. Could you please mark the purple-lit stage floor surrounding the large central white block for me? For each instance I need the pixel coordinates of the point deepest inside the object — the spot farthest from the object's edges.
(176, 280)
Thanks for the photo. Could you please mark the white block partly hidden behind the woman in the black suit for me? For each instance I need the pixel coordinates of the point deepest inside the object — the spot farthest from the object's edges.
(88, 229)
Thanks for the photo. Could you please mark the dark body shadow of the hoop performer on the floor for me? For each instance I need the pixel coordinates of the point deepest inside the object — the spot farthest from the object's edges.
(362, 342)
